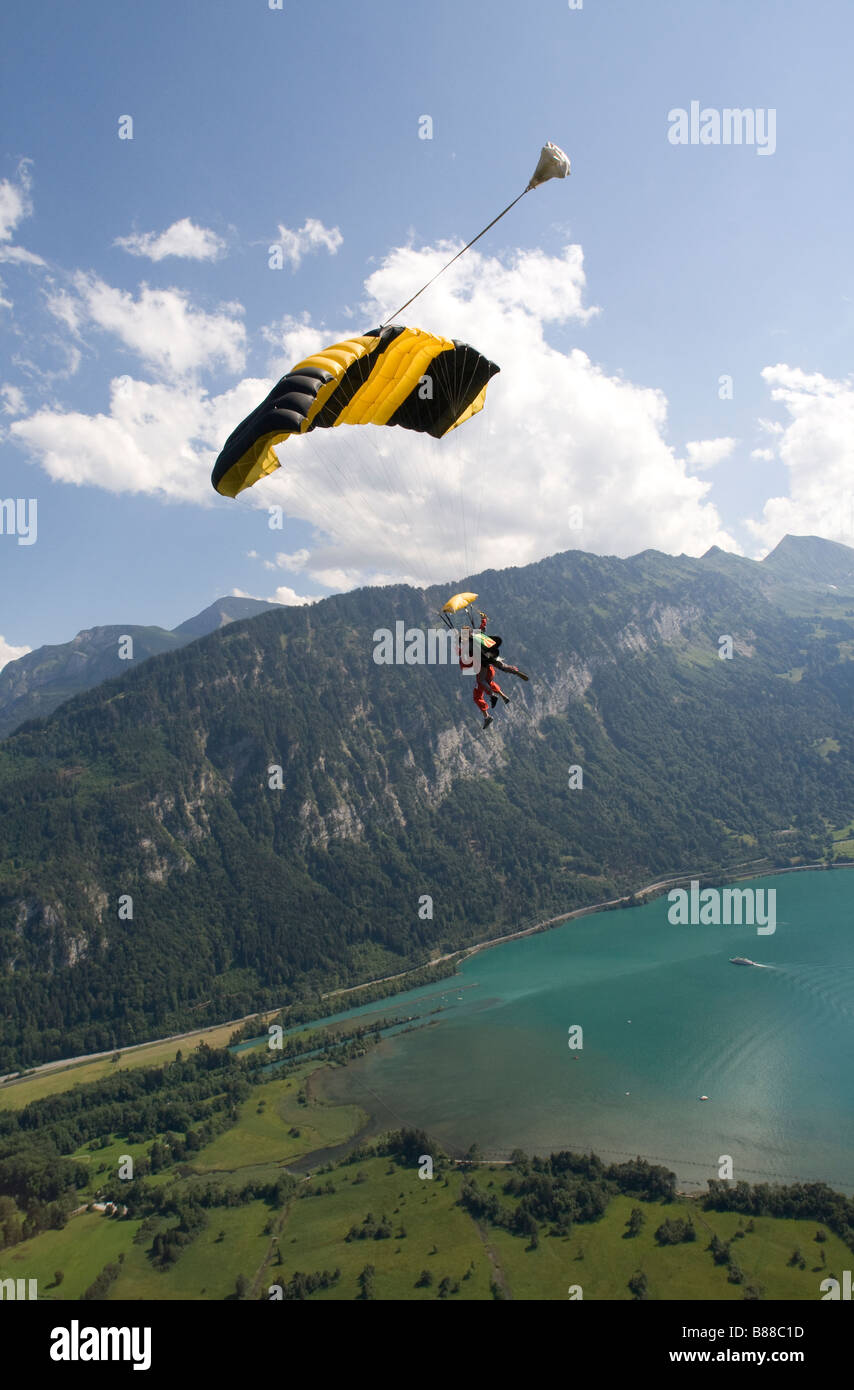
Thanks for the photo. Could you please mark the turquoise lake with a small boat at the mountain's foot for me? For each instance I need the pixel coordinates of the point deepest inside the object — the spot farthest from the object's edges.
(666, 1020)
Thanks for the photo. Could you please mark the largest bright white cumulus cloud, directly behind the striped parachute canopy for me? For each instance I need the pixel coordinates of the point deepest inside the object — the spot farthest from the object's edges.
(564, 457)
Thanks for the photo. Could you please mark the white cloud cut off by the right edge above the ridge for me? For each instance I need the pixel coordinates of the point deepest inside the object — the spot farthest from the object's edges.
(817, 447)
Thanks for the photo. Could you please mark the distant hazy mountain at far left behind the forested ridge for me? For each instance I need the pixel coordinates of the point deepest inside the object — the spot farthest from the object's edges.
(34, 686)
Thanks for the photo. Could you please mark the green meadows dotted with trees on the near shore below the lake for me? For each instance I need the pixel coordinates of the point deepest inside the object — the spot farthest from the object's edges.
(254, 1241)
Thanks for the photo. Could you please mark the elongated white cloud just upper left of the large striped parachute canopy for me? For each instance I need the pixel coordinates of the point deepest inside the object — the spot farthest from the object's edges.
(162, 327)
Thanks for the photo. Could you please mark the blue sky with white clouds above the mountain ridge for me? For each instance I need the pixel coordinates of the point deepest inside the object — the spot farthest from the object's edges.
(252, 126)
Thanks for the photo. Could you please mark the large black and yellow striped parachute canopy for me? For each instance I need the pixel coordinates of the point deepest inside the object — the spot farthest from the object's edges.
(387, 377)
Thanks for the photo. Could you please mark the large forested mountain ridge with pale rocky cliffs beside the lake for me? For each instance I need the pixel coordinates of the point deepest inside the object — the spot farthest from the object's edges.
(398, 829)
